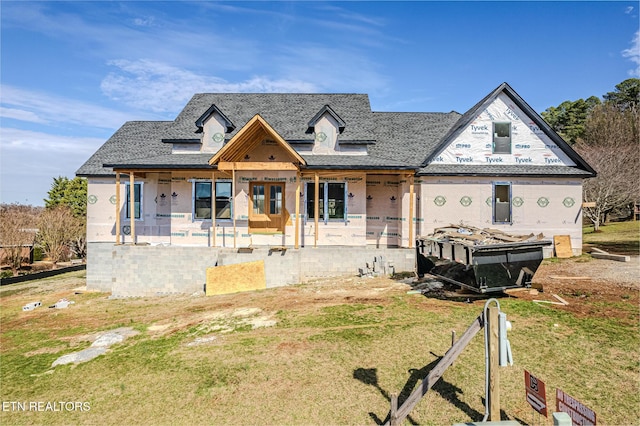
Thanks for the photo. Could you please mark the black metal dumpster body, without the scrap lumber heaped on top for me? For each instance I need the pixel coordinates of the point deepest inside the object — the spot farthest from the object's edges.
(481, 268)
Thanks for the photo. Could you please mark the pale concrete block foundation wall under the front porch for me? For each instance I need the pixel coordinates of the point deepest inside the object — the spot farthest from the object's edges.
(146, 270)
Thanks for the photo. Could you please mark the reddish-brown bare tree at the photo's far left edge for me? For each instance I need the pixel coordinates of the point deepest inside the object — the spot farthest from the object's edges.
(17, 232)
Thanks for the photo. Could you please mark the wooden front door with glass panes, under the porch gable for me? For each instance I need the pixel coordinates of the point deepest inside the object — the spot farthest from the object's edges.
(267, 207)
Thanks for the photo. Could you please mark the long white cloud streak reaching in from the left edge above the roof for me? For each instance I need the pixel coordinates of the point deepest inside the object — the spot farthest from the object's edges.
(39, 107)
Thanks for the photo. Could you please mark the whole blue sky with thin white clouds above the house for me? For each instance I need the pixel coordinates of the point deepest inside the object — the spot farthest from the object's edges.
(73, 72)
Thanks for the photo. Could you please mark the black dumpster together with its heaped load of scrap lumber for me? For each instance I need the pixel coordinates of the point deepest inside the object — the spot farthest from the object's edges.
(480, 260)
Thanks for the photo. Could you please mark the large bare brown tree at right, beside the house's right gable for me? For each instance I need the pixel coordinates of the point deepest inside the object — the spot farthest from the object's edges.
(610, 146)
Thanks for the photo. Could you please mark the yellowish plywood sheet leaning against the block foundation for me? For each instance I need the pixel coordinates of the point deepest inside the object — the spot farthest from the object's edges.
(234, 278)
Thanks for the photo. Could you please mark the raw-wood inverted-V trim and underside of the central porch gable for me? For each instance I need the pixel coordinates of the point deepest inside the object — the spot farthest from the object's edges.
(248, 138)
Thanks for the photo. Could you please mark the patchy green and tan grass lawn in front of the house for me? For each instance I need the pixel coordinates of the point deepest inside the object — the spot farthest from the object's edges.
(335, 354)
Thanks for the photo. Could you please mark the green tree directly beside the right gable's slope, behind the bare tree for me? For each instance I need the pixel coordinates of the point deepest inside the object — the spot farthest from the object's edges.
(568, 118)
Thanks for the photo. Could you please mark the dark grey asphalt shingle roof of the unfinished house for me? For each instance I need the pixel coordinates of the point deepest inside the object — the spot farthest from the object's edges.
(395, 140)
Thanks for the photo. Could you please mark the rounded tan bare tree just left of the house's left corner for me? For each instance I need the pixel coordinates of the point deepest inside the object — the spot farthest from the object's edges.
(57, 230)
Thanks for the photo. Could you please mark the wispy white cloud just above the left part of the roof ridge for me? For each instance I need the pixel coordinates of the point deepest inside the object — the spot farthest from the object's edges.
(159, 87)
